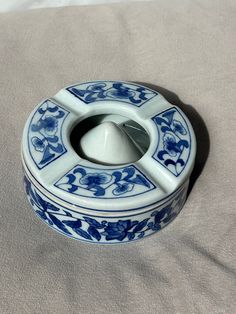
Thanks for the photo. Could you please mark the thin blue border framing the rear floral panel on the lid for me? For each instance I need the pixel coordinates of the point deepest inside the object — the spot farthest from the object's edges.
(119, 100)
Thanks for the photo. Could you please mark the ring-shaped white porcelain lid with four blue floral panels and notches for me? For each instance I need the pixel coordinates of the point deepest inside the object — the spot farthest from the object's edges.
(52, 162)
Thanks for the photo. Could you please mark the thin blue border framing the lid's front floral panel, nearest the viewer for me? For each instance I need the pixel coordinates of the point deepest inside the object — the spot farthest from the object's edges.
(86, 167)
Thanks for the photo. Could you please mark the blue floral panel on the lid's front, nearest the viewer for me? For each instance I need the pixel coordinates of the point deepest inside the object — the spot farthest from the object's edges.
(105, 183)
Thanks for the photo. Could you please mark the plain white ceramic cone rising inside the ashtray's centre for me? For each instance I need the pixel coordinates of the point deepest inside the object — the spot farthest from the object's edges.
(108, 143)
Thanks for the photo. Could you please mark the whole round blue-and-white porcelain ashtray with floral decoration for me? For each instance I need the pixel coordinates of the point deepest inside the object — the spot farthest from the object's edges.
(107, 161)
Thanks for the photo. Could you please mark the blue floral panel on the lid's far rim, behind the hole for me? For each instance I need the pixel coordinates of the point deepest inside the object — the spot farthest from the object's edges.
(110, 90)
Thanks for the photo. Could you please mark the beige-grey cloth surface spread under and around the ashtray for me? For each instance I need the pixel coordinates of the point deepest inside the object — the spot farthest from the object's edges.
(186, 49)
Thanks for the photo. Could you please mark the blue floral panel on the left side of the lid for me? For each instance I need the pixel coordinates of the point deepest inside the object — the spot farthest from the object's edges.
(44, 136)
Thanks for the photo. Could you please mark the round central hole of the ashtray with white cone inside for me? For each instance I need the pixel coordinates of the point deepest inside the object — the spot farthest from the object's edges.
(109, 139)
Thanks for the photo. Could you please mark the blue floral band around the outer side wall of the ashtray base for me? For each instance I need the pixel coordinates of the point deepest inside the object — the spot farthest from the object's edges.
(86, 228)
